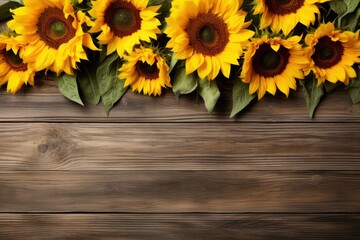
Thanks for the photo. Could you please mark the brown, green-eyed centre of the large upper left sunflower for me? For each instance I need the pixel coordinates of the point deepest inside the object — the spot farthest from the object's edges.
(54, 29)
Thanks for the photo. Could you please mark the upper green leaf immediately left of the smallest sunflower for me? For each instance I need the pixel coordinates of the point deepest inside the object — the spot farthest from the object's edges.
(107, 73)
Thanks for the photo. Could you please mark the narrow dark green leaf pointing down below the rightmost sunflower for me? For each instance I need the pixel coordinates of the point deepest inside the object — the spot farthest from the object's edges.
(312, 92)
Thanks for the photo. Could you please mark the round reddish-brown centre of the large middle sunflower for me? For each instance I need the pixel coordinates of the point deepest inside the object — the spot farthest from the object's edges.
(208, 34)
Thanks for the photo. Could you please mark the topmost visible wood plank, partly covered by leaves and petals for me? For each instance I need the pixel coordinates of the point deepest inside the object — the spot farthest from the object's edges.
(44, 104)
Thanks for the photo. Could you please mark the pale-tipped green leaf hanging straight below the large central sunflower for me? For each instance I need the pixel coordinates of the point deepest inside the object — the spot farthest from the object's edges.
(209, 91)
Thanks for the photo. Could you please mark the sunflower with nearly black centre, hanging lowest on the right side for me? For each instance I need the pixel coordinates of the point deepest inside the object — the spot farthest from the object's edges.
(273, 63)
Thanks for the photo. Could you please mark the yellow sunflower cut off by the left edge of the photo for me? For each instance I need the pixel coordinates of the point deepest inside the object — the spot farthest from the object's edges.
(13, 70)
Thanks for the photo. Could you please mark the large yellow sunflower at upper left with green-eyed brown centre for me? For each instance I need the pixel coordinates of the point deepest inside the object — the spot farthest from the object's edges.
(54, 33)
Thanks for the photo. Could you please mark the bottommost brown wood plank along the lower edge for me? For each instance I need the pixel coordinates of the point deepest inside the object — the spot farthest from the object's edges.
(179, 226)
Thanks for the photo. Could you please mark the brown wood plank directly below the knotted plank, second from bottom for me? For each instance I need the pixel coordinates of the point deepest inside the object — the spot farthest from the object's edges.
(180, 191)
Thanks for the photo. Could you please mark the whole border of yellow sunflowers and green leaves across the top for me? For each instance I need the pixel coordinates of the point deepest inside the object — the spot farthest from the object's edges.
(98, 49)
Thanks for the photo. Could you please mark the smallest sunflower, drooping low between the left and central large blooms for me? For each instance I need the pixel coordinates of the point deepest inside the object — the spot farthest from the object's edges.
(145, 71)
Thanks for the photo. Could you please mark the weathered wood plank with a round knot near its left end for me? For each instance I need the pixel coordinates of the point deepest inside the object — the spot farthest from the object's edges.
(231, 146)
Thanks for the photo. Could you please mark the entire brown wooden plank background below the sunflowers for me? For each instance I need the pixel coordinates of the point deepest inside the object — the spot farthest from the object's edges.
(162, 169)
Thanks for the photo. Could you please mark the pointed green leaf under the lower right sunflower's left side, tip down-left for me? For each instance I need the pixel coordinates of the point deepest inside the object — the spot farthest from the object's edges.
(241, 97)
